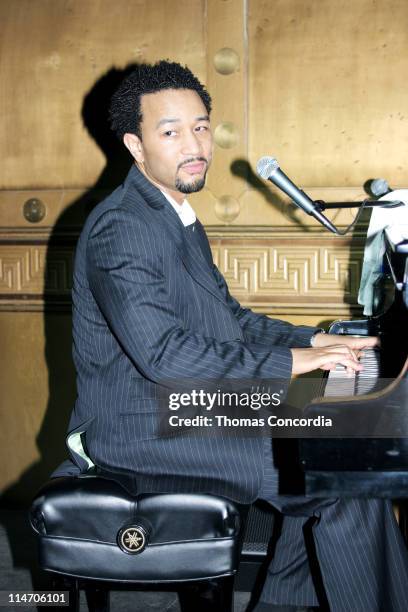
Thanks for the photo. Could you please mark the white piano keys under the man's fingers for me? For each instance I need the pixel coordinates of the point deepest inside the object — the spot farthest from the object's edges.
(340, 382)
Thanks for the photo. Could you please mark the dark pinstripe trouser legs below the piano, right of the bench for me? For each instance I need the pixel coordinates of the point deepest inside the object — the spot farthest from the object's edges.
(362, 558)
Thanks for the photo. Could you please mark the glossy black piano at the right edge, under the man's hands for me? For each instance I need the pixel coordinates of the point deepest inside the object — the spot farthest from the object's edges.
(374, 401)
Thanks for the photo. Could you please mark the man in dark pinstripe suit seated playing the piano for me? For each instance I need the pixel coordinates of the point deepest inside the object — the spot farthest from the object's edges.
(149, 304)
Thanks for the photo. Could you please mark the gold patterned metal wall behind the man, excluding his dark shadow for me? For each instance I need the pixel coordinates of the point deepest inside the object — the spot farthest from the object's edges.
(319, 84)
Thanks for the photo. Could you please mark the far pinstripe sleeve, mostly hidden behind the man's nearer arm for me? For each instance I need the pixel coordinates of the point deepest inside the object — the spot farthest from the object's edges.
(260, 328)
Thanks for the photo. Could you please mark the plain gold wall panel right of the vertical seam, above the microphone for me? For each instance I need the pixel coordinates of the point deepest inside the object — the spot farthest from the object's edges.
(326, 88)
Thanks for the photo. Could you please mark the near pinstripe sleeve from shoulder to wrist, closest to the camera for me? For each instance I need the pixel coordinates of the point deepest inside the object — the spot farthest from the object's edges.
(125, 274)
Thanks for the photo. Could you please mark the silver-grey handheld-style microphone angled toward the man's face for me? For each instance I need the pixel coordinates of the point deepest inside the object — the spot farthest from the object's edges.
(268, 169)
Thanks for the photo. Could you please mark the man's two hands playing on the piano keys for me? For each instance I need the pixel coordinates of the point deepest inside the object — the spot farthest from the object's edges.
(329, 350)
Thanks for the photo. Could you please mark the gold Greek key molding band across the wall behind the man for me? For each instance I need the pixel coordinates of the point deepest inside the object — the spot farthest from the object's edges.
(310, 276)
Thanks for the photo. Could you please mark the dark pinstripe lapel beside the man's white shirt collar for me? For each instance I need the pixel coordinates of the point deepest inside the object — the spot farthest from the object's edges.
(162, 213)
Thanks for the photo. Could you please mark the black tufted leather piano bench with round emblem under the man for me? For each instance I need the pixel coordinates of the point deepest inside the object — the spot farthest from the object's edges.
(93, 534)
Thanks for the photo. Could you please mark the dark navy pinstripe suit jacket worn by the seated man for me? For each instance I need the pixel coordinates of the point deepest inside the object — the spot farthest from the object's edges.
(147, 307)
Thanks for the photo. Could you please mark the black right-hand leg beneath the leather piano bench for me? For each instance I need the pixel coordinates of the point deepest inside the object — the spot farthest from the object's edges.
(215, 595)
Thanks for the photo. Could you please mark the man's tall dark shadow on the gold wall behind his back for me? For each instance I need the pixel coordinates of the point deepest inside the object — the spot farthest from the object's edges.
(57, 309)
